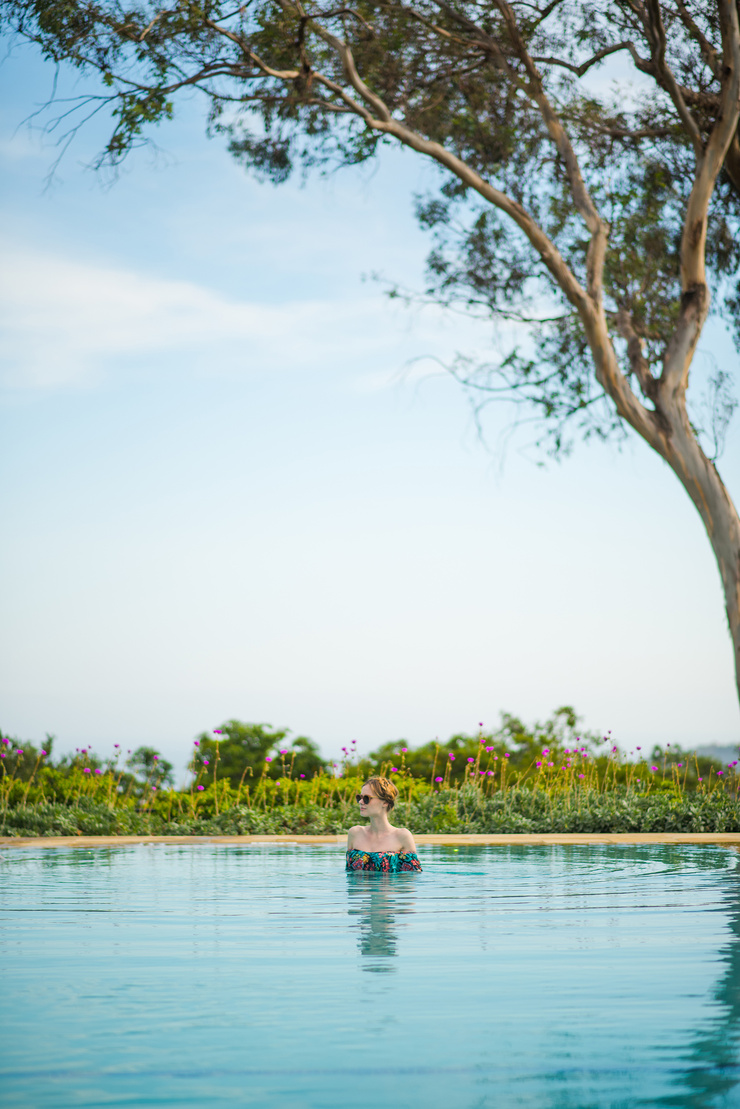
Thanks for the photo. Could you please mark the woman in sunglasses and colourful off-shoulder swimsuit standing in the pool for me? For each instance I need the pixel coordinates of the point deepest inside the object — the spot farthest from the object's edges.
(380, 847)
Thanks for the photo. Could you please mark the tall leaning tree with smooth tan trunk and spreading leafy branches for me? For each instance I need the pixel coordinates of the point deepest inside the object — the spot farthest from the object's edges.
(595, 217)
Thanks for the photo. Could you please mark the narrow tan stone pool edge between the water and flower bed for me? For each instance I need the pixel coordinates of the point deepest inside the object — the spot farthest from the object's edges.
(729, 839)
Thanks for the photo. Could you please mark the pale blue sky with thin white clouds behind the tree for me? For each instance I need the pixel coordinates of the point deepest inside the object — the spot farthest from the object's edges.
(229, 493)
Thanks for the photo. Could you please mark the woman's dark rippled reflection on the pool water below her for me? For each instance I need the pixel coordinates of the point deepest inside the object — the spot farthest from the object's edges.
(378, 901)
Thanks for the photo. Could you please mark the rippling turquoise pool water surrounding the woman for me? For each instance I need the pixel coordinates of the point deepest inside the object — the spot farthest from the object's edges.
(569, 978)
